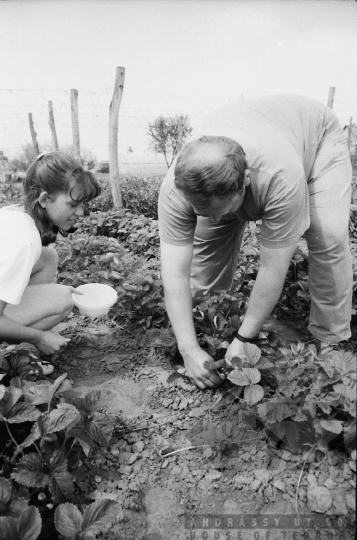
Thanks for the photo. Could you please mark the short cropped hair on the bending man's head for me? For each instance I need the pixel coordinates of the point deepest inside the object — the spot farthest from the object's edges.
(210, 166)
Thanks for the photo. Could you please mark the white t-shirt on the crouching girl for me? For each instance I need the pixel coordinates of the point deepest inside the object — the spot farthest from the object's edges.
(20, 249)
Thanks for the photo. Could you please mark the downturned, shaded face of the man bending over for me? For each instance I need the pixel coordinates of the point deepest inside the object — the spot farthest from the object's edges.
(216, 207)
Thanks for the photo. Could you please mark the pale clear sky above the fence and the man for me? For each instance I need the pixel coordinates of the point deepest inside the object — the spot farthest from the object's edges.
(179, 56)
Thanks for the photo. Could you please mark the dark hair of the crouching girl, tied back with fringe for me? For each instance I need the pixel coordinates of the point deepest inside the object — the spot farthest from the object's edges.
(55, 173)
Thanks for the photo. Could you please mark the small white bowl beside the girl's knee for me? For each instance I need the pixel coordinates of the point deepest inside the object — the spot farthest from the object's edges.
(96, 299)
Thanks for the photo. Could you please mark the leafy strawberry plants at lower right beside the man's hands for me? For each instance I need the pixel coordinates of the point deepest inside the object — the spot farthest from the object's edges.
(302, 398)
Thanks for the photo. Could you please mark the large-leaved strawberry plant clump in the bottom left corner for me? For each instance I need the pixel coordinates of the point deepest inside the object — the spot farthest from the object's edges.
(43, 434)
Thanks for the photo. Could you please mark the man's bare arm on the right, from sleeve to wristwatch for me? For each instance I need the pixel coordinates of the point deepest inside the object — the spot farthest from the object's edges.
(274, 264)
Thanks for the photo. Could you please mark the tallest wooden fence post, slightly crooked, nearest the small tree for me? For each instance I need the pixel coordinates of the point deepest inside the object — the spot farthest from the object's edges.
(113, 137)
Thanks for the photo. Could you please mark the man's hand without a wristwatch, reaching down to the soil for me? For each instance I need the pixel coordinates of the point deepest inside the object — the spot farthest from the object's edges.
(198, 374)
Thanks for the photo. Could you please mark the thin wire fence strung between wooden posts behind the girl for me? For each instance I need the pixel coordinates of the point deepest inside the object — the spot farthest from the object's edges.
(136, 111)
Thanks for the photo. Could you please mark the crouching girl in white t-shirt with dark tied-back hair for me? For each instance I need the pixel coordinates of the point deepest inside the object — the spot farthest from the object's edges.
(55, 188)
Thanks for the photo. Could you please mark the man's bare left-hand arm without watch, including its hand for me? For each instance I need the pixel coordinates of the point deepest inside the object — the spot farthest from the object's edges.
(176, 266)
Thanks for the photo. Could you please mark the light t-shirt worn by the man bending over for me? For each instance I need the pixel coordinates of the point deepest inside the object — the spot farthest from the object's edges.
(280, 136)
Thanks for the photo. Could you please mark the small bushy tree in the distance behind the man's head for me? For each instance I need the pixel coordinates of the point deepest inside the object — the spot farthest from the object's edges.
(167, 134)
